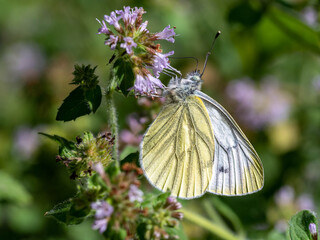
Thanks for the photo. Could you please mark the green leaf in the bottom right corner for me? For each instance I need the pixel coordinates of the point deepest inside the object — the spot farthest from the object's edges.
(299, 225)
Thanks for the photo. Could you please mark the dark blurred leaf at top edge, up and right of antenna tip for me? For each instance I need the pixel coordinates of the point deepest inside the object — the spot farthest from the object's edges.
(245, 14)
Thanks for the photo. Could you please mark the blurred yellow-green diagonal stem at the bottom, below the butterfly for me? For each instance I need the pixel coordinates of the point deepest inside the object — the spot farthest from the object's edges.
(212, 227)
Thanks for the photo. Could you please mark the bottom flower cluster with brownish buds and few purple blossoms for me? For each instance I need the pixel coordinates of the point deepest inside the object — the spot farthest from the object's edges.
(124, 207)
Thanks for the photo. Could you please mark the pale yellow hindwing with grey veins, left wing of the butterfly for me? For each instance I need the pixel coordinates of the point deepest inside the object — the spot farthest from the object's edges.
(177, 150)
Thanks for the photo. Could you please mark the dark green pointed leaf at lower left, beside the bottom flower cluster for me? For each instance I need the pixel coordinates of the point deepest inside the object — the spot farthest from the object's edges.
(61, 213)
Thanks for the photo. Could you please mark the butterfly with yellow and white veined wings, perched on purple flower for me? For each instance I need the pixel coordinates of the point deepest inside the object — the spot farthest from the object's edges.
(194, 146)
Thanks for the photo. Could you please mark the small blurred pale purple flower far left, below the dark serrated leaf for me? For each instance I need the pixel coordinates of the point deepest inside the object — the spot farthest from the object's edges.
(26, 141)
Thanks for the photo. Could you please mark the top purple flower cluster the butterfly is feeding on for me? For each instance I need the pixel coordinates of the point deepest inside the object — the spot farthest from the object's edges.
(131, 39)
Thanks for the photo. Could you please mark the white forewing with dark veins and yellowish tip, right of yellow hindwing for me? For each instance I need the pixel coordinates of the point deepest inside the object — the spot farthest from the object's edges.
(237, 168)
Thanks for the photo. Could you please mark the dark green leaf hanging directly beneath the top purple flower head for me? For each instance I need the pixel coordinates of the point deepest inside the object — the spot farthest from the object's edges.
(123, 75)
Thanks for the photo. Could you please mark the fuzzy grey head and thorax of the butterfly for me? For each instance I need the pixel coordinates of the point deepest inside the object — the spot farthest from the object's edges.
(180, 88)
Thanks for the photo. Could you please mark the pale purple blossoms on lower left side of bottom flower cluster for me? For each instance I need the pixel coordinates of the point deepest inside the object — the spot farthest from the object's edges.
(103, 212)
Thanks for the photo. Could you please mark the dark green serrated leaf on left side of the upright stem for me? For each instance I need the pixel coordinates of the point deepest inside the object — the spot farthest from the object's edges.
(81, 101)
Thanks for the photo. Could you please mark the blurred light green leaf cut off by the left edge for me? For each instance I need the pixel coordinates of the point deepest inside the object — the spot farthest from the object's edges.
(12, 191)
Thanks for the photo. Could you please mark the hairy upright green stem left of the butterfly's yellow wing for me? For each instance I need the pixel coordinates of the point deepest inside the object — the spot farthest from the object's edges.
(112, 120)
